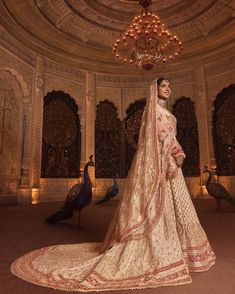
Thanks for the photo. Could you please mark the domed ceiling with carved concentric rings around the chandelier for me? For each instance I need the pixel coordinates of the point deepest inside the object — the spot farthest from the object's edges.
(81, 32)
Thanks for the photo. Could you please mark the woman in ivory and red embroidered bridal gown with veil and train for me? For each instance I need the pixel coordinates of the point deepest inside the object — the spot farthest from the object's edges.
(155, 238)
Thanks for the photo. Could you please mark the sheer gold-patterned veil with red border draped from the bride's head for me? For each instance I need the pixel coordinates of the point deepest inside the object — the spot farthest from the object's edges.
(141, 204)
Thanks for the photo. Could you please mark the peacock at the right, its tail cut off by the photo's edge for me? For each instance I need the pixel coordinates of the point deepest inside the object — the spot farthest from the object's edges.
(217, 191)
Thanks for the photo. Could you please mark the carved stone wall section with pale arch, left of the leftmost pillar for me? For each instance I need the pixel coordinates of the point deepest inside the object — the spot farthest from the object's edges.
(15, 122)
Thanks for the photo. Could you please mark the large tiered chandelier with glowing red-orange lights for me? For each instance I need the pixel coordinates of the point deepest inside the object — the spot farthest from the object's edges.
(146, 42)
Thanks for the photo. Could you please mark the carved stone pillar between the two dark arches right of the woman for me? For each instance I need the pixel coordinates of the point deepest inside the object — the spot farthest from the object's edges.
(202, 117)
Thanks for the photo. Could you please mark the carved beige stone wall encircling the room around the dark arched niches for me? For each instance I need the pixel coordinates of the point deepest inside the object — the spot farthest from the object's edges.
(36, 78)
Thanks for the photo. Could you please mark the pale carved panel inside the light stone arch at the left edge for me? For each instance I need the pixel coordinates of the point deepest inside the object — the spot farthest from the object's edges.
(11, 132)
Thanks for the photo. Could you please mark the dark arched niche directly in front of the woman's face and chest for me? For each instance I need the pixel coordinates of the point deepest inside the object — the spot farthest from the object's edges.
(187, 135)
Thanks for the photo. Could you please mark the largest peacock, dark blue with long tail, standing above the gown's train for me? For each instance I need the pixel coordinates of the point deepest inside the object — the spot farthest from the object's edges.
(78, 197)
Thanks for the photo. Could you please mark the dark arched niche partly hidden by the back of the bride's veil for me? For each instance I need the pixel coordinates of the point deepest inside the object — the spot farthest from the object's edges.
(132, 125)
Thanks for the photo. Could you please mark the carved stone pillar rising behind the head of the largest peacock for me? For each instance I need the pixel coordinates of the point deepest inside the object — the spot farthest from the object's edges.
(90, 112)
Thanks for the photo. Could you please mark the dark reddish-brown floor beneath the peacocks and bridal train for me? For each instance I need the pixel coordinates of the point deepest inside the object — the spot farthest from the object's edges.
(22, 229)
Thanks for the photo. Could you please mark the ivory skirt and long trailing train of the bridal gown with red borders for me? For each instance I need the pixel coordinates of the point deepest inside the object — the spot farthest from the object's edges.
(175, 246)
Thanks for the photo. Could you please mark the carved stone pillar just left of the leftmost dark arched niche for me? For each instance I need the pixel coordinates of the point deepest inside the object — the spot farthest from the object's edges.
(38, 94)
